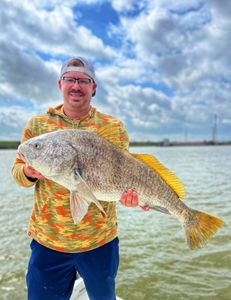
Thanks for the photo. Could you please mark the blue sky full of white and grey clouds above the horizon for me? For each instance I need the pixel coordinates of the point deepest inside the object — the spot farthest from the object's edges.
(163, 67)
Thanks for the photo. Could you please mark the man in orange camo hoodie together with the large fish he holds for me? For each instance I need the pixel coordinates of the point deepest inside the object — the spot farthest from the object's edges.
(79, 162)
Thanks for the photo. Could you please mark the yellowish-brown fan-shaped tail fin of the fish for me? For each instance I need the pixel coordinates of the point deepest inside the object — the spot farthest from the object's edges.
(200, 228)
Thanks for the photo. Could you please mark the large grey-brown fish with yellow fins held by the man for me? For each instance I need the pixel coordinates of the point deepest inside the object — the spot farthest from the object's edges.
(94, 168)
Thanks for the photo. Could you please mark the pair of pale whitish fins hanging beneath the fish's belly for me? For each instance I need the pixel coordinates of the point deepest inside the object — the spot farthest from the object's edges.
(81, 198)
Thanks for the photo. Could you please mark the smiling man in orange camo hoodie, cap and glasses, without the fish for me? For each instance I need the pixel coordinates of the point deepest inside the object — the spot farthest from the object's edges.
(59, 246)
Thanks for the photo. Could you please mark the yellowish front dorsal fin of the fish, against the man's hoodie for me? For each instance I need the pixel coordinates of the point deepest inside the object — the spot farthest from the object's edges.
(110, 132)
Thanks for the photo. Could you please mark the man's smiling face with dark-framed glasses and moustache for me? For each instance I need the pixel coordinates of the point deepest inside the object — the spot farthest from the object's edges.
(76, 96)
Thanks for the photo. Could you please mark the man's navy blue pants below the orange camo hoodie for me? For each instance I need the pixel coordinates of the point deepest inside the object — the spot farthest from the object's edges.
(51, 274)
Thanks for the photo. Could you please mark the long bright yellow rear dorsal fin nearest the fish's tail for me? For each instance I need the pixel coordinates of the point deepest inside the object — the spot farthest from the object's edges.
(168, 176)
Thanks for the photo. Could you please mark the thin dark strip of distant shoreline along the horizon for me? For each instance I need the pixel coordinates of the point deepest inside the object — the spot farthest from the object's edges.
(15, 144)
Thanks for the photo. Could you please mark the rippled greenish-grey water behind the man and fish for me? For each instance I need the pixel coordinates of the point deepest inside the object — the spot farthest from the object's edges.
(155, 262)
